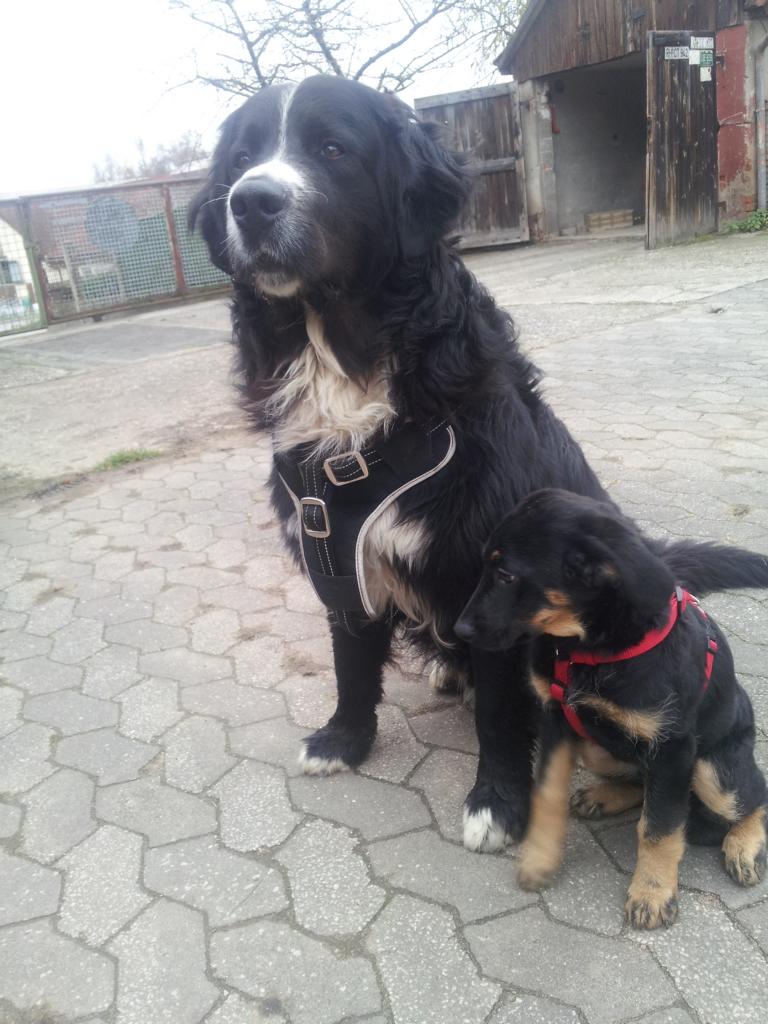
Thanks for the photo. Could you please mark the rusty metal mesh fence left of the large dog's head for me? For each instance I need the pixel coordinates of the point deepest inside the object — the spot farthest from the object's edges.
(83, 253)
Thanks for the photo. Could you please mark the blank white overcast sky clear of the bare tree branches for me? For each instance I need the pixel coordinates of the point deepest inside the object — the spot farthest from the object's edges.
(83, 78)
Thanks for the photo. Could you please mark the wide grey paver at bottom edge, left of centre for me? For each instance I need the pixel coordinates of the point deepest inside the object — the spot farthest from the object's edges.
(272, 962)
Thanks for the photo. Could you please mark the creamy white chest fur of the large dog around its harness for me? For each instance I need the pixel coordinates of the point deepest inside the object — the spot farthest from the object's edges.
(320, 404)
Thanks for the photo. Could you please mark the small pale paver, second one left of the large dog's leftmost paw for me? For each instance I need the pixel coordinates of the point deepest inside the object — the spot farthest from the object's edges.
(196, 754)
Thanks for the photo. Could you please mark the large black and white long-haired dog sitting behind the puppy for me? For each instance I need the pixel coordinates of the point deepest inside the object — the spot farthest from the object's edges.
(329, 205)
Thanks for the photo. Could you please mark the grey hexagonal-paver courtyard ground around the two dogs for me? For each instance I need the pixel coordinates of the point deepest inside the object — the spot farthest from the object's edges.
(164, 863)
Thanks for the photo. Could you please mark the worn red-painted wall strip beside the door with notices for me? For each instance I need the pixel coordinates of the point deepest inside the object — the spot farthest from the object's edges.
(737, 116)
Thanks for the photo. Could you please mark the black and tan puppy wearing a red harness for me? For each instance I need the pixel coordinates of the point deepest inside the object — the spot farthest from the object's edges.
(632, 675)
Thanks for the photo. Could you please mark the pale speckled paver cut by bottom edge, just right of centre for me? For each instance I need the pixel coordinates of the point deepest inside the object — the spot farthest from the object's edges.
(429, 976)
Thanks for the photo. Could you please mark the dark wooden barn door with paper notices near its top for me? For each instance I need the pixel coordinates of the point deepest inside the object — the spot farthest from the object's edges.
(682, 170)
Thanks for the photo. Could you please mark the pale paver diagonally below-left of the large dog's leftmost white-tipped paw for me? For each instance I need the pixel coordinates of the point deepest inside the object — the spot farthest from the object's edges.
(255, 810)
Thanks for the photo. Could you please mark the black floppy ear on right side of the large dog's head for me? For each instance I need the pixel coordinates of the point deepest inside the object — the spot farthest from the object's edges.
(439, 187)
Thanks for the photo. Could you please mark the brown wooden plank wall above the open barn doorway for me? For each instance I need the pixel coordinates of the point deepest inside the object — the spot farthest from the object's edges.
(575, 33)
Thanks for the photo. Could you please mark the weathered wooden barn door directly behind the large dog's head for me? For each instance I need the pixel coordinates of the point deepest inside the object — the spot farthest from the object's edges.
(486, 124)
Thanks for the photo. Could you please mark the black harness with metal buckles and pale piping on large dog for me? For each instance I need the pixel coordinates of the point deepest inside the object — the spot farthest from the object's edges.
(338, 499)
